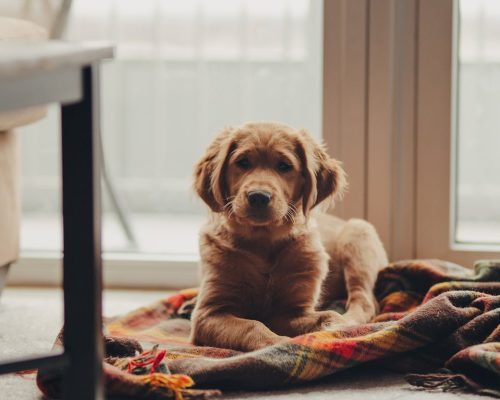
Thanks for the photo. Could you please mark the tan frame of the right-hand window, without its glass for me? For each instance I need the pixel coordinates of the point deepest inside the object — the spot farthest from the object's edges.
(436, 138)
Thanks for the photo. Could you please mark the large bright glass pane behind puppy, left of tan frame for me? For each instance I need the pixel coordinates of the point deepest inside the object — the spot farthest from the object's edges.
(184, 70)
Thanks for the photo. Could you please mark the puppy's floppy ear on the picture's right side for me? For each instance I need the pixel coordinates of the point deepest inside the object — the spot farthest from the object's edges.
(323, 176)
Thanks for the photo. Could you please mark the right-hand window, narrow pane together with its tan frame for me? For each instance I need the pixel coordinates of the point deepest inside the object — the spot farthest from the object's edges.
(458, 130)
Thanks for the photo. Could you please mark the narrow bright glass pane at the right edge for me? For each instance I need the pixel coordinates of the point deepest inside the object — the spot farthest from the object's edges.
(478, 122)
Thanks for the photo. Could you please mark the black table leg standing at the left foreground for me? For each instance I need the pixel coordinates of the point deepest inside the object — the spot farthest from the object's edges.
(82, 243)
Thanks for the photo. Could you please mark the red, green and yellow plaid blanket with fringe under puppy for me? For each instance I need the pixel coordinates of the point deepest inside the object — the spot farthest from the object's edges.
(437, 320)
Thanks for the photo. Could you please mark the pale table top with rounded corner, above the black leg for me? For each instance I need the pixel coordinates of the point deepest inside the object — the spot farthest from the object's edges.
(20, 58)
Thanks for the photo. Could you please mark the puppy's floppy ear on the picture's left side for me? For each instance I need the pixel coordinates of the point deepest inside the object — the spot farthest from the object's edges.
(209, 172)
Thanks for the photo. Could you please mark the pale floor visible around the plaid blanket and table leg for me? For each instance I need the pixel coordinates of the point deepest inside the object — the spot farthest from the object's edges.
(31, 318)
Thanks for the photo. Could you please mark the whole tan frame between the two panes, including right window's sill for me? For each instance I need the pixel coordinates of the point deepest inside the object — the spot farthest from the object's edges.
(388, 114)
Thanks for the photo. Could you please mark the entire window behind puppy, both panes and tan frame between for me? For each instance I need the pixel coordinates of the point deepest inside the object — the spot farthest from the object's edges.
(404, 93)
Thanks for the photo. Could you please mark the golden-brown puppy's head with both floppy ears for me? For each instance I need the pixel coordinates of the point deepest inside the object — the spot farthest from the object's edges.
(263, 174)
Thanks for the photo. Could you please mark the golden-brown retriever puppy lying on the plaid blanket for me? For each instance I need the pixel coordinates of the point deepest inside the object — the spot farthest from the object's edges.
(268, 264)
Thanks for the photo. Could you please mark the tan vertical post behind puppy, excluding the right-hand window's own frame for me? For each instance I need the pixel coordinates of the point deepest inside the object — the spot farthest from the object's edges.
(369, 119)
